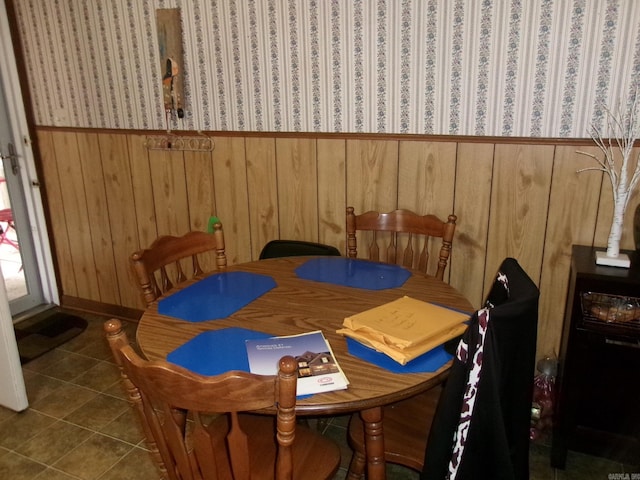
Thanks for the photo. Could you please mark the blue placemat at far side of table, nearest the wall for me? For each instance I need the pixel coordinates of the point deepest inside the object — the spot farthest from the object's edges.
(351, 272)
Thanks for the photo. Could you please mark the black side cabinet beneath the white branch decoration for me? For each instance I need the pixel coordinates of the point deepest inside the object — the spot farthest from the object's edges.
(598, 386)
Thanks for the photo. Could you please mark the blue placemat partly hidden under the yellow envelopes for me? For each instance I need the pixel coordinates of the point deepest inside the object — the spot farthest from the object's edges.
(427, 362)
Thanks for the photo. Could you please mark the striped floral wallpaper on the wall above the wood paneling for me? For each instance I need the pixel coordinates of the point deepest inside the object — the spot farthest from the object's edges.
(540, 68)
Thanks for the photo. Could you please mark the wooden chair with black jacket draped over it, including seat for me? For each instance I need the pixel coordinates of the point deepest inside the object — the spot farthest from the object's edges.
(476, 426)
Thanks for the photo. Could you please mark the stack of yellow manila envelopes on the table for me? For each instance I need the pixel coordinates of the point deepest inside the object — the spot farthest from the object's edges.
(405, 328)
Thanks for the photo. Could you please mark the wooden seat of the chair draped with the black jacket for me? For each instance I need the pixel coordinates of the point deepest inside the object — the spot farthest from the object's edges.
(408, 419)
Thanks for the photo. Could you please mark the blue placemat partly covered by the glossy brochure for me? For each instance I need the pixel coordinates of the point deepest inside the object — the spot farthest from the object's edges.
(216, 351)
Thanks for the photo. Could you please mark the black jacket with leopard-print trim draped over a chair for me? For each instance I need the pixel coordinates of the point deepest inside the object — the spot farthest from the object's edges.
(481, 426)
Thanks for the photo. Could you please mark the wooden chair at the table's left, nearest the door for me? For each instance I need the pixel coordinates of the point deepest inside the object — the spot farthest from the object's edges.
(172, 260)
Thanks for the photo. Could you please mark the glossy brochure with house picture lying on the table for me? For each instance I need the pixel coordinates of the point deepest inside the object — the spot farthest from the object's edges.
(318, 369)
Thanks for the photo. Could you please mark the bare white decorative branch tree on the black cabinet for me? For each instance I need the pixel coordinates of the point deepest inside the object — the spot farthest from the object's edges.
(623, 174)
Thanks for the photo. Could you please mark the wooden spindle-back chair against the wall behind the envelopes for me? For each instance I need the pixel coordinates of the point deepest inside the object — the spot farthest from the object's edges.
(402, 237)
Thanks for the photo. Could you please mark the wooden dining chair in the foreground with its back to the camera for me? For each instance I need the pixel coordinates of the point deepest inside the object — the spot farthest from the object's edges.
(197, 428)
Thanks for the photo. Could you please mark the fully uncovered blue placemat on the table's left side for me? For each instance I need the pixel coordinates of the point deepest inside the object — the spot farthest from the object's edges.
(216, 296)
